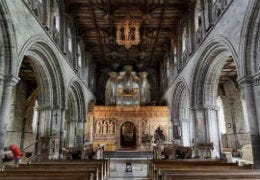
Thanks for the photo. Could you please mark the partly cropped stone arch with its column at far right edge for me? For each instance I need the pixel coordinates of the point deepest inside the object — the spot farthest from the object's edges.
(250, 82)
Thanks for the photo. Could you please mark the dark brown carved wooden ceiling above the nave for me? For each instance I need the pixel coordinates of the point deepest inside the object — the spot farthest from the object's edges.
(96, 22)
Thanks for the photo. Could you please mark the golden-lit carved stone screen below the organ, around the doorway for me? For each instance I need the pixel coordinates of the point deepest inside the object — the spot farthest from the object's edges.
(108, 121)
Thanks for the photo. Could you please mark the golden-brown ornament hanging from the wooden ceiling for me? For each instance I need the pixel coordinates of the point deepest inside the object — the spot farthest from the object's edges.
(128, 33)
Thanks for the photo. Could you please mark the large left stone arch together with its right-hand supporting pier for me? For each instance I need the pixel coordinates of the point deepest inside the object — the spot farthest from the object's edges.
(44, 64)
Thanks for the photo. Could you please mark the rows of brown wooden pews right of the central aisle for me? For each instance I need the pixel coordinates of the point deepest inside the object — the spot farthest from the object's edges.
(184, 169)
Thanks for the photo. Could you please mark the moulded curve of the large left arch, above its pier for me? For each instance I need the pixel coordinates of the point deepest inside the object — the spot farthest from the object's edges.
(47, 67)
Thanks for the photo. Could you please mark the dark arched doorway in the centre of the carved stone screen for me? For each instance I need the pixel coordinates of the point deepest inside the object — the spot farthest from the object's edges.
(128, 135)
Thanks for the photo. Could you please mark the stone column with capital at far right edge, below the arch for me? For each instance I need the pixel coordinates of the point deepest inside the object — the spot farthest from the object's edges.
(250, 115)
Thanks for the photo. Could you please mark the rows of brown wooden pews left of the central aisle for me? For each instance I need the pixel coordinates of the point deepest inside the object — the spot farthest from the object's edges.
(58, 169)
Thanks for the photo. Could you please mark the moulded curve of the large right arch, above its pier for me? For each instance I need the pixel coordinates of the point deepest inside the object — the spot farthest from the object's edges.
(214, 49)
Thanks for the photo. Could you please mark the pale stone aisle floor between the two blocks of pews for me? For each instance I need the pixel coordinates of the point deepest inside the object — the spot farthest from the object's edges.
(118, 168)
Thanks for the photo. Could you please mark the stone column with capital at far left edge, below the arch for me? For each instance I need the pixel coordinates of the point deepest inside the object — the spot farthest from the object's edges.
(7, 88)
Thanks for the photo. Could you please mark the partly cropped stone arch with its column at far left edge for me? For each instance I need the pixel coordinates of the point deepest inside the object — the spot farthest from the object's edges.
(7, 69)
